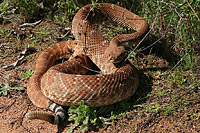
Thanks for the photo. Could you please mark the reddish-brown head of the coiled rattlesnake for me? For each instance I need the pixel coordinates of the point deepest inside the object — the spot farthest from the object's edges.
(115, 54)
